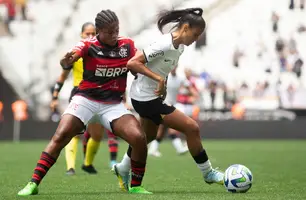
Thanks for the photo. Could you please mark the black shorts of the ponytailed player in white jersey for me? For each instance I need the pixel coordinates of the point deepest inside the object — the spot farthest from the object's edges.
(153, 110)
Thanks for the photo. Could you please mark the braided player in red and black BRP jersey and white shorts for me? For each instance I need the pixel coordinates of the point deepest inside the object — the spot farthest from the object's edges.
(98, 99)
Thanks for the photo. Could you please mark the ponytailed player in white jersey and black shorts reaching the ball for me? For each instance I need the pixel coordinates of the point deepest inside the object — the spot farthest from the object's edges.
(153, 65)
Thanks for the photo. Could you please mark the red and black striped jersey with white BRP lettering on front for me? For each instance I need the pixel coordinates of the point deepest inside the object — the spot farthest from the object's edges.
(105, 71)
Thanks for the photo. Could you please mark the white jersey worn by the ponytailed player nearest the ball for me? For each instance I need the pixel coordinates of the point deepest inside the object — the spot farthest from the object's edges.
(161, 58)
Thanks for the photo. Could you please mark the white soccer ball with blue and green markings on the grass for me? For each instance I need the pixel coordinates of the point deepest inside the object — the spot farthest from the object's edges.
(238, 178)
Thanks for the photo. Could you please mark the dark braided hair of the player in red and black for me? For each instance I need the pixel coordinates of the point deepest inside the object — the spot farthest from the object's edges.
(105, 18)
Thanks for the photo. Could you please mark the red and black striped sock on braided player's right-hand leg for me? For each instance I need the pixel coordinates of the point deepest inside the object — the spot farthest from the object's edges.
(138, 171)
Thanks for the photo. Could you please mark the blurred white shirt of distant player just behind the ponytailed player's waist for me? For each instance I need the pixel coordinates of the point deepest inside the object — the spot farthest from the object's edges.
(173, 86)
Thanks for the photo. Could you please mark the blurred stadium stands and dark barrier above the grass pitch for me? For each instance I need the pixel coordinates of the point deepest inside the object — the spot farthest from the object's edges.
(248, 65)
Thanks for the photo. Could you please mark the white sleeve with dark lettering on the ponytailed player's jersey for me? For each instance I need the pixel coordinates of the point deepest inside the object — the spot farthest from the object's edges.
(156, 50)
